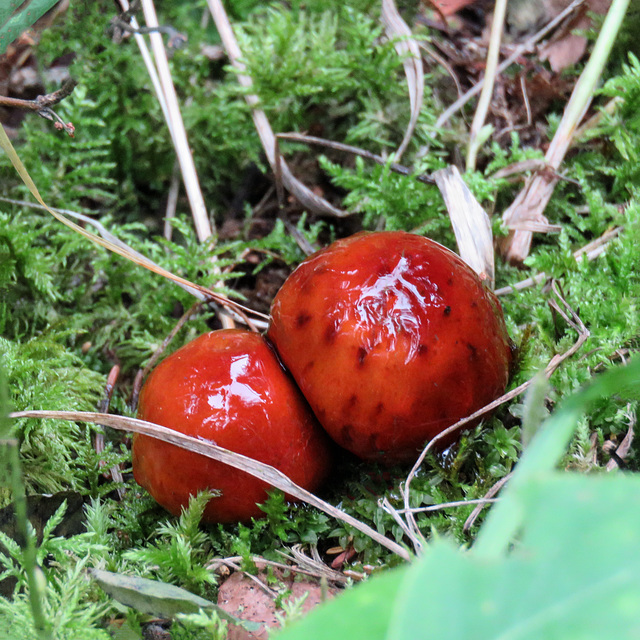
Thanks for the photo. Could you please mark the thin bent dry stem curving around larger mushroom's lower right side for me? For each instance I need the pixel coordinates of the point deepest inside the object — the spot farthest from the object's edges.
(583, 333)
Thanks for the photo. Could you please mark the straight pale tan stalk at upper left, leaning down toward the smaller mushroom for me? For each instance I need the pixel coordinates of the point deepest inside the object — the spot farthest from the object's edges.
(187, 166)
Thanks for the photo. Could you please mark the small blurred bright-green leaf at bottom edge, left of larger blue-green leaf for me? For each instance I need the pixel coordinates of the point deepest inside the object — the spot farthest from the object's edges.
(362, 612)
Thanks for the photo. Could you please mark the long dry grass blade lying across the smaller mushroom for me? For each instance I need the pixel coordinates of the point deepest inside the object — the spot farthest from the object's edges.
(257, 469)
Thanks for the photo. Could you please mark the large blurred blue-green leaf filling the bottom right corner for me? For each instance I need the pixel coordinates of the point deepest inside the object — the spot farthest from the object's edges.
(575, 573)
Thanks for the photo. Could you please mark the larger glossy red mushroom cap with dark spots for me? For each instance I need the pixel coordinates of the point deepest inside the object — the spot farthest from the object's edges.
(391, 338)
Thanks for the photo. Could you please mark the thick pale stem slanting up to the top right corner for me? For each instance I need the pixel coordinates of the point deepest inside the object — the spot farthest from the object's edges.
(532, 200)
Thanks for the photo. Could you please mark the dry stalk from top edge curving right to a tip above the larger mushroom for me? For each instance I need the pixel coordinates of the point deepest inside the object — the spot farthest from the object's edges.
(305, 196)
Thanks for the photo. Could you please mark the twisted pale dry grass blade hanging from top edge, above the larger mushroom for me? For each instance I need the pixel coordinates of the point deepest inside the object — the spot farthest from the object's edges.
(406, 46)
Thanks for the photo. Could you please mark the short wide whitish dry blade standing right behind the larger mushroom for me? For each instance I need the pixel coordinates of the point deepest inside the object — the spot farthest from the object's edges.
(471, 223)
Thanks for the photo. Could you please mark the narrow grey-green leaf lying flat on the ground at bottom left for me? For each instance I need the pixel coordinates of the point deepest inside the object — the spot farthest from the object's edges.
(159, 598)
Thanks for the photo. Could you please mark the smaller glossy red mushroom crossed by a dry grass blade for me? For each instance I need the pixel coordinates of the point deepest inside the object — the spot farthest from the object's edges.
(226, 387)
